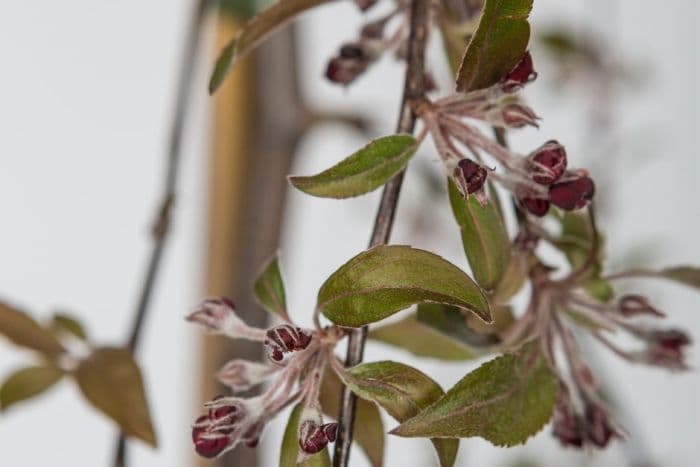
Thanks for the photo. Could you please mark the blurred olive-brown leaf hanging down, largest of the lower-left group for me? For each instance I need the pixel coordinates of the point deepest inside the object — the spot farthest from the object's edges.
(111, 380)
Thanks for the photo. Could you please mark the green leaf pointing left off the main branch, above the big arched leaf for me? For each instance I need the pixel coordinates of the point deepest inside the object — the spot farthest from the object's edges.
(364, 171)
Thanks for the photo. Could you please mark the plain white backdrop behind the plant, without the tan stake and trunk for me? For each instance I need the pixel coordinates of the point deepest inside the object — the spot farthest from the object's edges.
(85, 95)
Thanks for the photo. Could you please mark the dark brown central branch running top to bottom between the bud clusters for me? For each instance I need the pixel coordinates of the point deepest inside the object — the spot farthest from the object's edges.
(413, 90)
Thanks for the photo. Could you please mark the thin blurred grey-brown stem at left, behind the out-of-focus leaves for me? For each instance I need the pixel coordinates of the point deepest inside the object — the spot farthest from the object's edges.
(162, 223)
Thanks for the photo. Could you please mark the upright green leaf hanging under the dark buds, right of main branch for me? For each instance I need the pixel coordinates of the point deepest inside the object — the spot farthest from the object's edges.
(484, 237)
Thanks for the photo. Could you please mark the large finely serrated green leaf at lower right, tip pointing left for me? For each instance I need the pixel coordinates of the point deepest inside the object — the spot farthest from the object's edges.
(505, 401)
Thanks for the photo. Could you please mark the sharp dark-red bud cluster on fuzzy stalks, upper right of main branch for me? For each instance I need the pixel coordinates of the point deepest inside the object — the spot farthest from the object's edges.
(537, 181)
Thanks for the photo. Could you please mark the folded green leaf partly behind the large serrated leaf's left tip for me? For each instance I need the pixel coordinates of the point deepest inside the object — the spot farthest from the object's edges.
(403, 392)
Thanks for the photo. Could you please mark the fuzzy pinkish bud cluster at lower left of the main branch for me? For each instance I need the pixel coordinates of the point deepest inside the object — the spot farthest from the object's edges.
(233, 420)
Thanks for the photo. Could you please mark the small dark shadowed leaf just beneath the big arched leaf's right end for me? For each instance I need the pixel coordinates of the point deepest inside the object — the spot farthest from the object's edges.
(451, 322)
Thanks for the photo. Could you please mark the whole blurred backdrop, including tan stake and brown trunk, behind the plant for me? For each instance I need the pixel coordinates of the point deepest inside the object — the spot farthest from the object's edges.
(87, 94)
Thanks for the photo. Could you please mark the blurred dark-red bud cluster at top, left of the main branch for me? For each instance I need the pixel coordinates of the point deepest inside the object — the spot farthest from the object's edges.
(356, 56)
